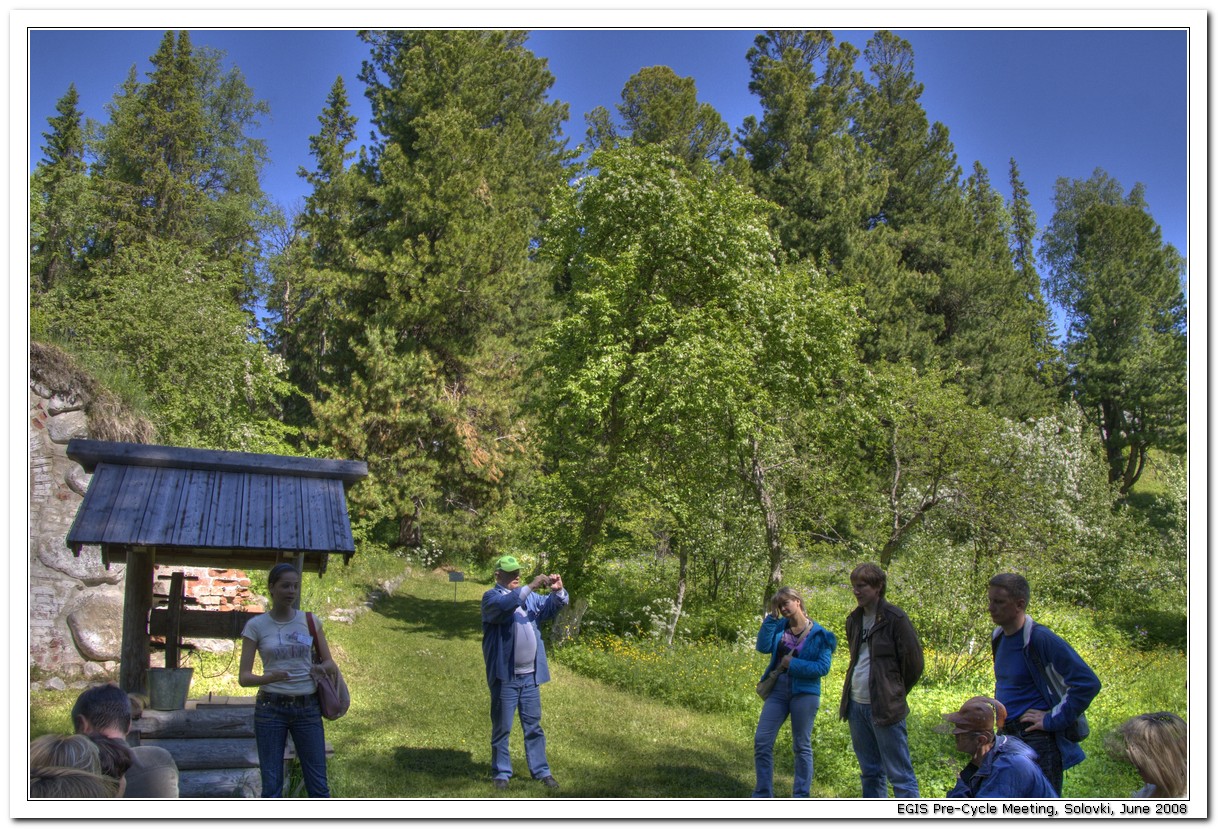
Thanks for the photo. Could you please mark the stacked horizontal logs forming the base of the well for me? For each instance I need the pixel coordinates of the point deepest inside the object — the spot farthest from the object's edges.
(213, 743)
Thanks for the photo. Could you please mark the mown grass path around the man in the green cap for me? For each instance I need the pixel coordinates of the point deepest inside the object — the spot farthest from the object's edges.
(420, 725)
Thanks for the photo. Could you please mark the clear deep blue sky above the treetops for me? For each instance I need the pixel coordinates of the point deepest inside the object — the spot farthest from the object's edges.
(1060, 102)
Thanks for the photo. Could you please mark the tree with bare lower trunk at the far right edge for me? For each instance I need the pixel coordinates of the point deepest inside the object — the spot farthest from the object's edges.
(1127, 345)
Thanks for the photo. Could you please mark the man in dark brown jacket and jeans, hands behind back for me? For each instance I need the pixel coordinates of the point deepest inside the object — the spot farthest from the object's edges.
(886, 663)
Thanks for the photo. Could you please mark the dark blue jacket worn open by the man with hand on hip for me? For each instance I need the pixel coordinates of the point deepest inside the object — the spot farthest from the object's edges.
(1071, 685)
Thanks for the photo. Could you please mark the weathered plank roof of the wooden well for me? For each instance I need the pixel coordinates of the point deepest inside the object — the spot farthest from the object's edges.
(205, 507)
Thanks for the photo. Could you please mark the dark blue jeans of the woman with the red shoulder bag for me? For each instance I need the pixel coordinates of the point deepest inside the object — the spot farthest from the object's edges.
(275, 718)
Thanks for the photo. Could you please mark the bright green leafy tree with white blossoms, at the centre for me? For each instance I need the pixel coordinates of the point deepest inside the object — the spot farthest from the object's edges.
(683, 351)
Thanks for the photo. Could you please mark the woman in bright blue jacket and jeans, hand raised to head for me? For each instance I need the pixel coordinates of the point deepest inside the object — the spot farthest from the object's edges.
(801, 652)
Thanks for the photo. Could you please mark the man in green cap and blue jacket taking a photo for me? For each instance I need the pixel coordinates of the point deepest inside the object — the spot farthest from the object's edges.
(516, 664)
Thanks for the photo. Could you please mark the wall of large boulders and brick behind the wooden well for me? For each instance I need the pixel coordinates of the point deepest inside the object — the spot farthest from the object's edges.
(76, 604)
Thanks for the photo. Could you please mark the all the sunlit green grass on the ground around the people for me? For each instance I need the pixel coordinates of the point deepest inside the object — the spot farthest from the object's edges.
(627, 719)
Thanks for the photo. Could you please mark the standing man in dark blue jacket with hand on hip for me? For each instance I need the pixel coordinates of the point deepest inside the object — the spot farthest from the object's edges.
(1044, 685)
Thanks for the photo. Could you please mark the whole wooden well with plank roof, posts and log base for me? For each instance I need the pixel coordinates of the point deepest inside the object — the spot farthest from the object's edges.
(150, 506)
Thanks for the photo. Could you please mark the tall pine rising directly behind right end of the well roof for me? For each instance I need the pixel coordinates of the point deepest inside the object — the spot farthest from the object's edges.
(444, 294)
